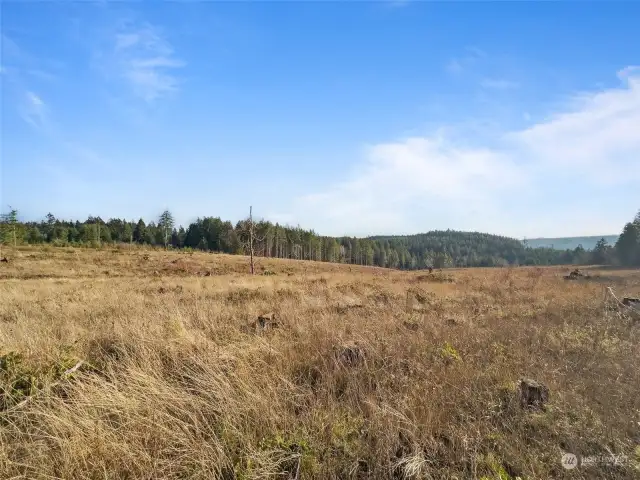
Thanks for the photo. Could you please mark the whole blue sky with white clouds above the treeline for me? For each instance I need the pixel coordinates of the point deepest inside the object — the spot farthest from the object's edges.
(348, 118)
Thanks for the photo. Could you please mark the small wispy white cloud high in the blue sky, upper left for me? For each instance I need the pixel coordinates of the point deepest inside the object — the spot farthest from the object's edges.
(146, 61)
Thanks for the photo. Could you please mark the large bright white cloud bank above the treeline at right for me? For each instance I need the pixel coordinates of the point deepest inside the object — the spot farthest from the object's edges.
(527, 182)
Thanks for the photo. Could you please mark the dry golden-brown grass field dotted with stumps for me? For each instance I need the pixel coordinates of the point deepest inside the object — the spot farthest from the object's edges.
(360, 373)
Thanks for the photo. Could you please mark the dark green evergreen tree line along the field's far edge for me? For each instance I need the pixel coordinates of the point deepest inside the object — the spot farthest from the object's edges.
(438, 249)
